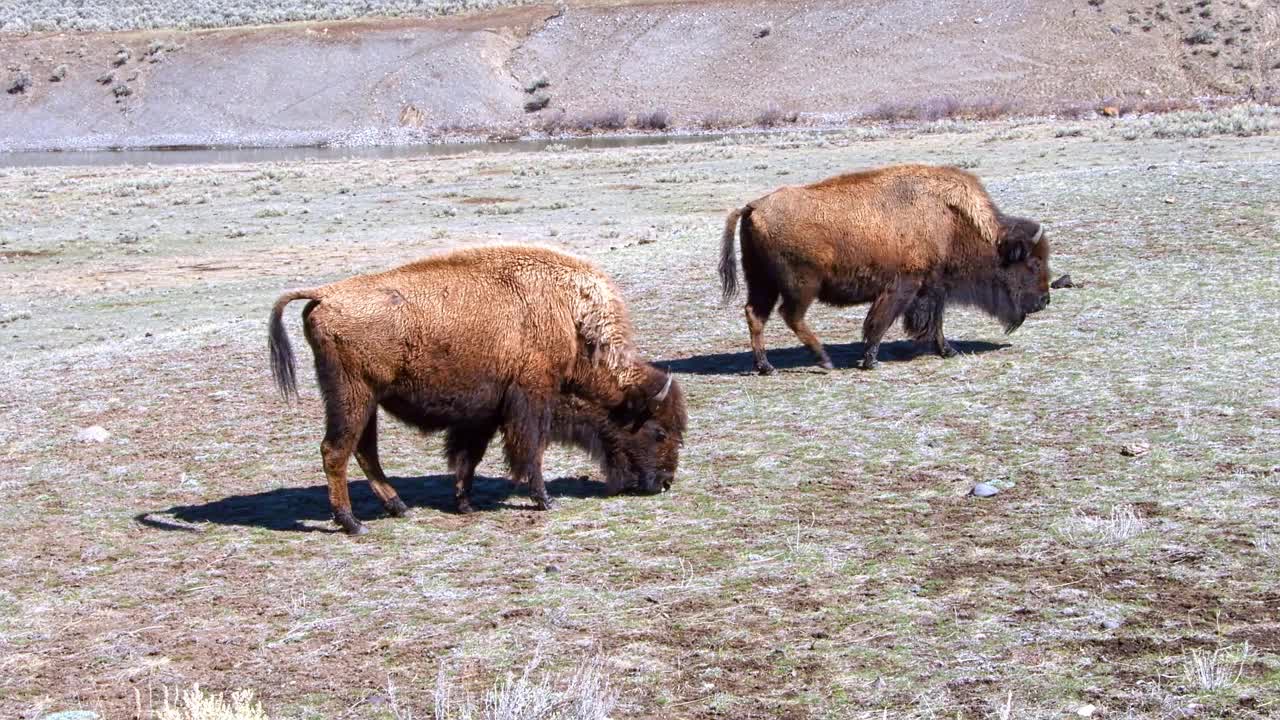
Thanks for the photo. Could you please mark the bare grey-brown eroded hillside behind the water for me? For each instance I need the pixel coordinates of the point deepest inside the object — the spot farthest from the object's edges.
(706, 65)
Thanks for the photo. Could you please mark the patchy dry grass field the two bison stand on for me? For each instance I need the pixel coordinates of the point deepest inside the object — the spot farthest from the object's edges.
(819, 557)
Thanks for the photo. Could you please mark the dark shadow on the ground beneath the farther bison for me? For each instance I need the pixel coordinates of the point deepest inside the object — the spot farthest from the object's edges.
(799, 358)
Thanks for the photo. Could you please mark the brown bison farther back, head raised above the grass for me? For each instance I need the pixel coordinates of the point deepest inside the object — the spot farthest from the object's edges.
(908, 239)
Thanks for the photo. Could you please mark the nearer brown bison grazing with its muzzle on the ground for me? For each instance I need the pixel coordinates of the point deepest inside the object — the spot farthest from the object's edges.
(519, 340)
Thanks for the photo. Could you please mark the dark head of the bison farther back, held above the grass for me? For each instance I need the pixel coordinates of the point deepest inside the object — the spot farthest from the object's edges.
(1023, 276)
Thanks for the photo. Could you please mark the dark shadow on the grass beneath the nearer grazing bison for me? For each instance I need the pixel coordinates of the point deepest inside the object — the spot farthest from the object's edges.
(289, 509)
